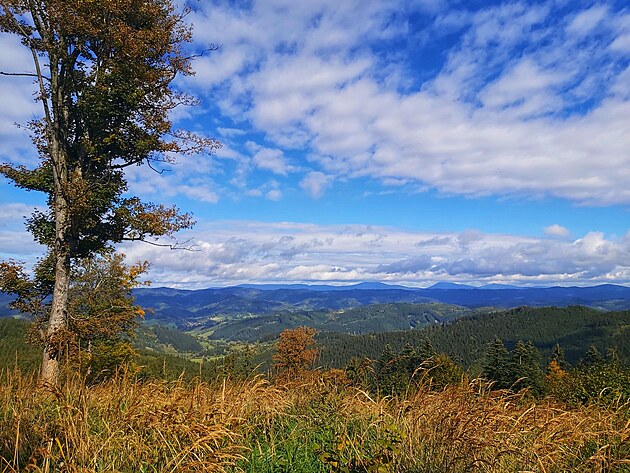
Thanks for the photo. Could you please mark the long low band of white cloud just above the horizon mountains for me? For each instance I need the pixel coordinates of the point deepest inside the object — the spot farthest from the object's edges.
(237, 252)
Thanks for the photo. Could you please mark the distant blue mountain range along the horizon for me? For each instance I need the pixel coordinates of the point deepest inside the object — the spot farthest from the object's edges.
(182, 307)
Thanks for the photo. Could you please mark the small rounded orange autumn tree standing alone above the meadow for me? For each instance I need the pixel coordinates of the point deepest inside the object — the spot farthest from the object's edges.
(295, 351)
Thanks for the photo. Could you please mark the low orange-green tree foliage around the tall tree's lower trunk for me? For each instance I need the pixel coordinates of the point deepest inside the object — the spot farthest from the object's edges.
(101, 311)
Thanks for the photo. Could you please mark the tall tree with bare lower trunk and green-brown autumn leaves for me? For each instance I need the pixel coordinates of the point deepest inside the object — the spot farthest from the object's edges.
(103, 71)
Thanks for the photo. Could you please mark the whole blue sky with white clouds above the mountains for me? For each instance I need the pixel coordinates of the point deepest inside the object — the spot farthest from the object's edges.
(408, 142)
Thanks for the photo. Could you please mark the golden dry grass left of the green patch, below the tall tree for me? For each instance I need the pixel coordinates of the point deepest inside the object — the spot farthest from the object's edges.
(124, 425)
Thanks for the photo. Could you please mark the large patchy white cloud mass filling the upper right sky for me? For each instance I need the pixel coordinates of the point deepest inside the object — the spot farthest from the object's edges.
(522, 105)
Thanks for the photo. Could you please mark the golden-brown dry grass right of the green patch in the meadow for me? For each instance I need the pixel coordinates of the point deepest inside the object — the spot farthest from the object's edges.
(463, 429)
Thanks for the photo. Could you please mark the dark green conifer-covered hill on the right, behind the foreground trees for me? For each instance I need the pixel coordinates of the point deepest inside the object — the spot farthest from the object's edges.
(465, 340)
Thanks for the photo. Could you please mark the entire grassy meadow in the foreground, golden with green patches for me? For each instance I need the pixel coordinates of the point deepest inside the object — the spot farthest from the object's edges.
(317, 424)
